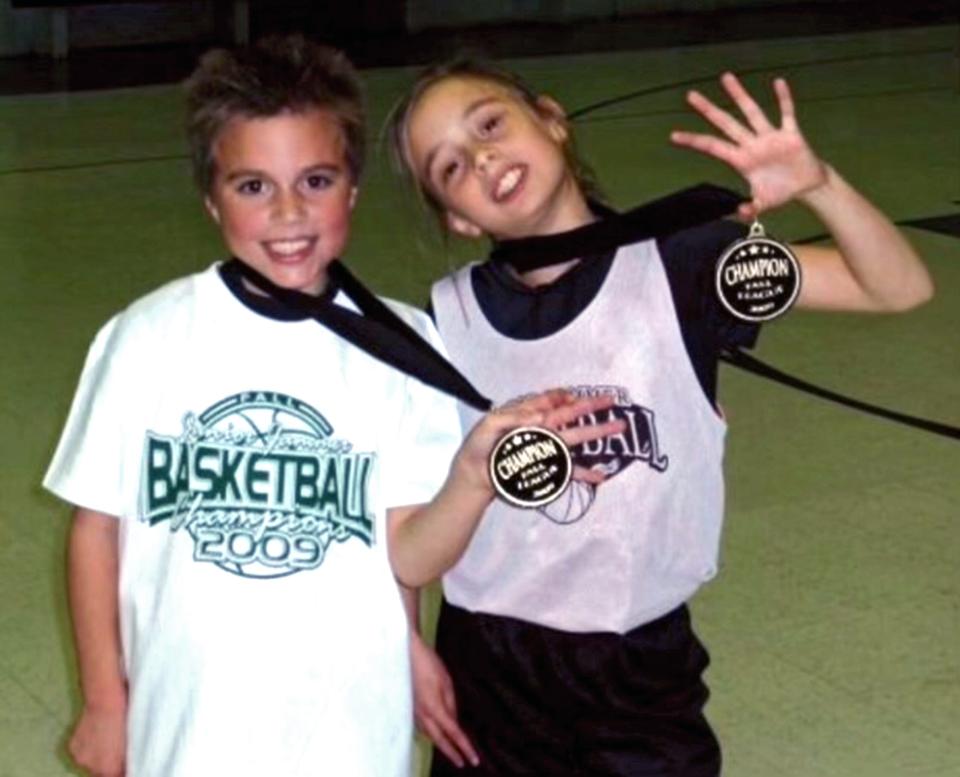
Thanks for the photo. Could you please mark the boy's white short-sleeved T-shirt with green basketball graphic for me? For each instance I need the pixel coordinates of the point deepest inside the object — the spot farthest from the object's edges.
(250, 462)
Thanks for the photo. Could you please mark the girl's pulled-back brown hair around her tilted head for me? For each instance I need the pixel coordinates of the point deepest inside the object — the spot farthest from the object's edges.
(480, 70)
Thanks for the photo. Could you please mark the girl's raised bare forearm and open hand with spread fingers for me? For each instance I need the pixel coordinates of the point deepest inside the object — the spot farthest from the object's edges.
(872, 267)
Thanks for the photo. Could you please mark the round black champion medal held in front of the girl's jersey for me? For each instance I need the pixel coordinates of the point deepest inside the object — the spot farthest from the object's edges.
(530, 466)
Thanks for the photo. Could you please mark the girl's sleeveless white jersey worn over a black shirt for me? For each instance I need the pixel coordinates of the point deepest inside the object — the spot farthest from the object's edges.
(614, 557)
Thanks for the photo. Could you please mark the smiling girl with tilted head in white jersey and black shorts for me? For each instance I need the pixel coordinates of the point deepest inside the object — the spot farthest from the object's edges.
(565, 630)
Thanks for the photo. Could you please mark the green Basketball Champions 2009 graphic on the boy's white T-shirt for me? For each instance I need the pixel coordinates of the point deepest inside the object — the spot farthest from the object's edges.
(259, 484)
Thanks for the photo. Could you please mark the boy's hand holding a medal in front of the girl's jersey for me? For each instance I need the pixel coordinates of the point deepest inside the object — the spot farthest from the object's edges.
(552, 410)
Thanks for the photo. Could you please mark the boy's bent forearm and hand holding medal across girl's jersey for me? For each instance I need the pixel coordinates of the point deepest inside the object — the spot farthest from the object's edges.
(426, 540)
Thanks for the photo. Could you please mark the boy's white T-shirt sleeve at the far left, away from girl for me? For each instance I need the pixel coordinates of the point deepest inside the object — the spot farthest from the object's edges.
(87, 469)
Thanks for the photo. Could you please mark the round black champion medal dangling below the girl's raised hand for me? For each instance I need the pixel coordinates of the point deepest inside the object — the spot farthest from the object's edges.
(758, 278)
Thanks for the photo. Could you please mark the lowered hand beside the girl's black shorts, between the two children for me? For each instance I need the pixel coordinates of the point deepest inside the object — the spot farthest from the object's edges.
(435, 705)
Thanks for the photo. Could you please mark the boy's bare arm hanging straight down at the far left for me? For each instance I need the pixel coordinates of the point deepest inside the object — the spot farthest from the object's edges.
(98, 742)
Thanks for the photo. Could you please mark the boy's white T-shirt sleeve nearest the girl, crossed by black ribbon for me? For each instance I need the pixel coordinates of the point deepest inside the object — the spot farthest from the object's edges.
(428, 435)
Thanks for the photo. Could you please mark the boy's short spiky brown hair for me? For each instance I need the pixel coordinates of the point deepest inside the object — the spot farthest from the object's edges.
(279, 74)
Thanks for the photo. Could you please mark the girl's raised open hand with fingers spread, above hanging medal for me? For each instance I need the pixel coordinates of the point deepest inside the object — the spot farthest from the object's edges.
(777, 162)
